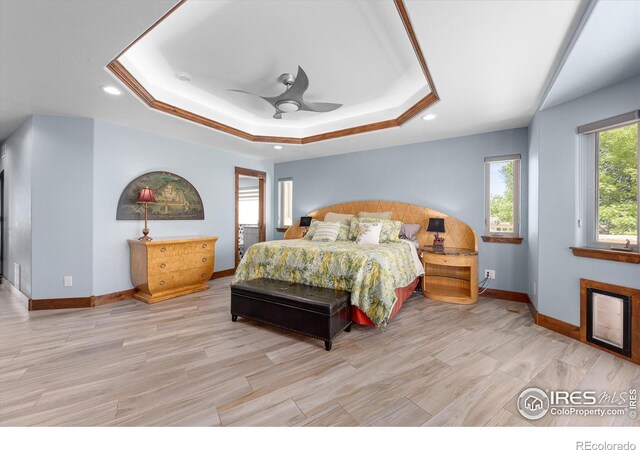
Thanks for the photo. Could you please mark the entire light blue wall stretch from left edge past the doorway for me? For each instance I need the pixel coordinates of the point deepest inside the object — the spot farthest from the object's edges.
(63, 179)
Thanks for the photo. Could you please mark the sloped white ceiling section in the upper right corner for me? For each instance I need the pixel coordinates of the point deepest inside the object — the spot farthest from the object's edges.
(607, 51)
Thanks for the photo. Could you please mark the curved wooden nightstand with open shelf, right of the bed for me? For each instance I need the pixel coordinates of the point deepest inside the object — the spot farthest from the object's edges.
(451, 275)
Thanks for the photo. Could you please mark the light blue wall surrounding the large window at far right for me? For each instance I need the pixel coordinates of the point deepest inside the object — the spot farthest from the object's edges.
(559, 271)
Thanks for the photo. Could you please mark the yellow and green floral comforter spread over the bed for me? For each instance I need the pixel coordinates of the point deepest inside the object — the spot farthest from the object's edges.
(370, 272)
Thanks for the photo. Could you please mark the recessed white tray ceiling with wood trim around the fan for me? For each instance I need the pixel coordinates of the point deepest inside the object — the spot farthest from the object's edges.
(361, 54)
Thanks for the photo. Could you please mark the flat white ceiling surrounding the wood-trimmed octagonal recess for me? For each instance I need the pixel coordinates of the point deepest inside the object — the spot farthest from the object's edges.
(490, 61)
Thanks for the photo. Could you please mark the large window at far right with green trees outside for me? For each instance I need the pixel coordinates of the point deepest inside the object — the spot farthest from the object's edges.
(611, 189)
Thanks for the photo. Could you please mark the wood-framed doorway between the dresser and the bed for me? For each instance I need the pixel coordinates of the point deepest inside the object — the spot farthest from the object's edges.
(250, 223)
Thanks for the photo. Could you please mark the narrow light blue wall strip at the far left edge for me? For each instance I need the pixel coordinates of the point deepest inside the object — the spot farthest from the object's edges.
(17, 206)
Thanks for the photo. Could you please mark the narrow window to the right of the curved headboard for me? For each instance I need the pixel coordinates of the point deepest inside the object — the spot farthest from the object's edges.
(502, 196)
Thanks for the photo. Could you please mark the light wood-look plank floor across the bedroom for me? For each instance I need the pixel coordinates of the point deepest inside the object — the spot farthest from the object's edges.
(183, 362)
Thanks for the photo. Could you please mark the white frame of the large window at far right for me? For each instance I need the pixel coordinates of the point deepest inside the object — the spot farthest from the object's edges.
(590, 144)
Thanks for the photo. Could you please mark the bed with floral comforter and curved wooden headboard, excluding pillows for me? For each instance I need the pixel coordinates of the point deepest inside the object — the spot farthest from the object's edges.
(380, 277)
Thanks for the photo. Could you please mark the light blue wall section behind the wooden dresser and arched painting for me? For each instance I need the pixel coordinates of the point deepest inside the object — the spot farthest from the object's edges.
(122, 154)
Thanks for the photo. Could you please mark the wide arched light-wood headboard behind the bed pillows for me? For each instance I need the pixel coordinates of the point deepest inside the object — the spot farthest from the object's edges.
(458, 234)
